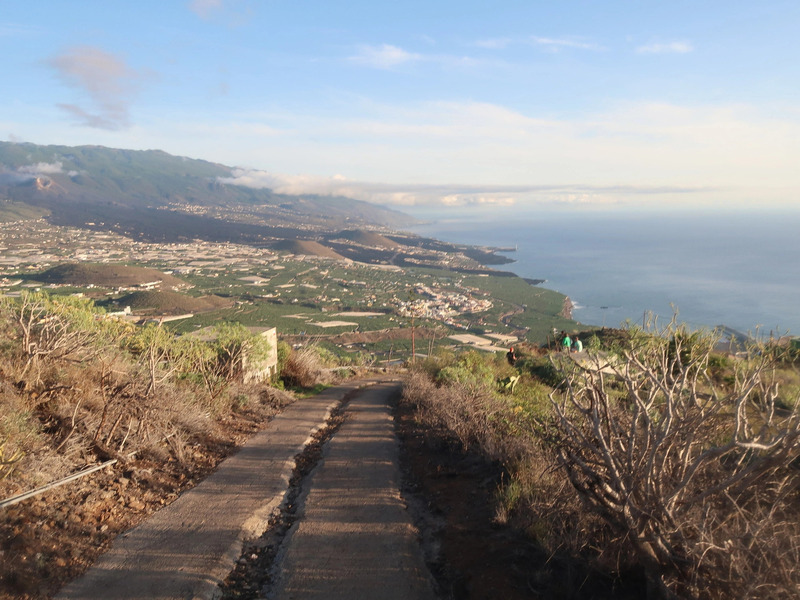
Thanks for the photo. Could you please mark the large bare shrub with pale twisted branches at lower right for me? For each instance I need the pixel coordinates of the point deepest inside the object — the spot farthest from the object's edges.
(698, 482)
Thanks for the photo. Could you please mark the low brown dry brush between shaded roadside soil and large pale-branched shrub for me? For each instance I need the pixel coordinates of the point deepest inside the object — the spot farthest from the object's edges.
(534, 497)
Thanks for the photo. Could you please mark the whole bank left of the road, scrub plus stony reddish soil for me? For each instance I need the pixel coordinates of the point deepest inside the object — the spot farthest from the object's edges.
(79, 387)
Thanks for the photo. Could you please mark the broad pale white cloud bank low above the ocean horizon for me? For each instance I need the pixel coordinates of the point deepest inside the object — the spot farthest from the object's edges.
(634, 152)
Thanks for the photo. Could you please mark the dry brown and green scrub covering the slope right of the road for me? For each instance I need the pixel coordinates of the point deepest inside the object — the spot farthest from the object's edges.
(652, 450)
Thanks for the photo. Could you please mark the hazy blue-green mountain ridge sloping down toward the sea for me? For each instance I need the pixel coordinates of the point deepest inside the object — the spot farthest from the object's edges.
(60, 177)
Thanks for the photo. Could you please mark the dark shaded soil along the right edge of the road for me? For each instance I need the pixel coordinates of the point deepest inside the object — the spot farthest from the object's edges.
(453, 493)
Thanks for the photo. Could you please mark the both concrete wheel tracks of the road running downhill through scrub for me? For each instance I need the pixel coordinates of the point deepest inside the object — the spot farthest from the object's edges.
(186, 549)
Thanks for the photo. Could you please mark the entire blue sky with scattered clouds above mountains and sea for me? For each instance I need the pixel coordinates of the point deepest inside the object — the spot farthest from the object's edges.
(585, 103)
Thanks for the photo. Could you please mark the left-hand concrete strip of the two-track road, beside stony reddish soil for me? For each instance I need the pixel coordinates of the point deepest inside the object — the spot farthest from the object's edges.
(186, 549)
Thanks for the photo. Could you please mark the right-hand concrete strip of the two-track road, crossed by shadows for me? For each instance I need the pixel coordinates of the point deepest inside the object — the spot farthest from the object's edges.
(354, 537)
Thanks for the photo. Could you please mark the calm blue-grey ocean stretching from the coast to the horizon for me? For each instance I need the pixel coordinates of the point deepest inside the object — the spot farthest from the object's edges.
(738, 269)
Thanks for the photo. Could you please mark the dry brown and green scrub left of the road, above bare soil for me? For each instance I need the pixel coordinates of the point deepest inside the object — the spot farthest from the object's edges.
(76, 384)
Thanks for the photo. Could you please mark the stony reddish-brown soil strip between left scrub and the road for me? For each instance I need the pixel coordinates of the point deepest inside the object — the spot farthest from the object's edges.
(54, 537)
